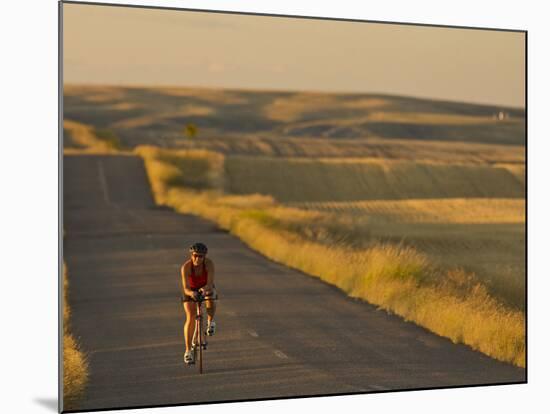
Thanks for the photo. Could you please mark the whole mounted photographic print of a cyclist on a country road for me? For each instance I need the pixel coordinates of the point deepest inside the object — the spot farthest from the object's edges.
(258, 207)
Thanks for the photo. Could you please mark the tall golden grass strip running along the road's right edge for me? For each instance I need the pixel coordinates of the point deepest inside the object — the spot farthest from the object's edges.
(395, 277)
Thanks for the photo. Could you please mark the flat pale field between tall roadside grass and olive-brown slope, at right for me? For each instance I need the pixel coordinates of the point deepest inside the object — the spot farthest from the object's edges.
(483, 236)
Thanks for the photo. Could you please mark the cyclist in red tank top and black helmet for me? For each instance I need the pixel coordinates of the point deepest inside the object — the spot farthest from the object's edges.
(197, 275)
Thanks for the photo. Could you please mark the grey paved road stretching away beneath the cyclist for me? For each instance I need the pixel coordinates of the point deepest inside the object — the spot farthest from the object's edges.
(280, 333)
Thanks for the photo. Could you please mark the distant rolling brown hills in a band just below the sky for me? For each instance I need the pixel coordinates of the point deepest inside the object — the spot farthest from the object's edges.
(157, 116)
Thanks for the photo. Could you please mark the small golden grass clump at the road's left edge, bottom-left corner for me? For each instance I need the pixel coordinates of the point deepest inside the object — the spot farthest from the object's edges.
(75, 364)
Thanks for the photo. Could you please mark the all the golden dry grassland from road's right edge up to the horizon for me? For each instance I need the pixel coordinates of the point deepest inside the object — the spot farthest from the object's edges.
(426, 198)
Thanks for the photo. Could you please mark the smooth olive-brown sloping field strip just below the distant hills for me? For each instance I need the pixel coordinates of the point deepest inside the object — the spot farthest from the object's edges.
(302, 179)
